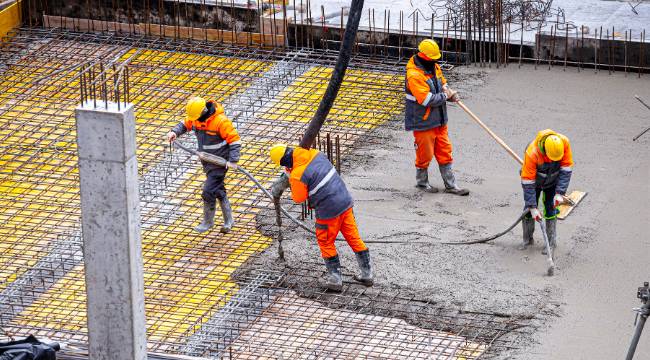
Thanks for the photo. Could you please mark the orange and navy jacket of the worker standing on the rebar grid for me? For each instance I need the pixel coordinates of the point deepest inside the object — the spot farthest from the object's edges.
(216, 135)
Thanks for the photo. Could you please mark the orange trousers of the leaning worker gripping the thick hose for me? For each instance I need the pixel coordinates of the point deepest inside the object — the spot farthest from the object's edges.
(328, 229)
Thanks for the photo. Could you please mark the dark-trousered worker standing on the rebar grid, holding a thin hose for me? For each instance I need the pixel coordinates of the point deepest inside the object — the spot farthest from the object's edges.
(215, 135)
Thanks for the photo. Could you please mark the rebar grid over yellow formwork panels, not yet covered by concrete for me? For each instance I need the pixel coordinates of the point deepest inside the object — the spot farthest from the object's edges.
(193, 305)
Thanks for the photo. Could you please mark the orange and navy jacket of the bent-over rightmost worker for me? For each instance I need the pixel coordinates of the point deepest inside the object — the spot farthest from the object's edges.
(539, 171)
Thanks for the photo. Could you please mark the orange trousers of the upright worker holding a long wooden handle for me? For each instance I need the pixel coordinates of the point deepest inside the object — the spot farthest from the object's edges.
(430, 143)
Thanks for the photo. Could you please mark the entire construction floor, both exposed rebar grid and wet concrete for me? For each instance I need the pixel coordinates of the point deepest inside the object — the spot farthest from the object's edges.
(227, 296)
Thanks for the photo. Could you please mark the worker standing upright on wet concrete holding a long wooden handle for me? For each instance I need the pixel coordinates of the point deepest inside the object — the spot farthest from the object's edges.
(426, 115)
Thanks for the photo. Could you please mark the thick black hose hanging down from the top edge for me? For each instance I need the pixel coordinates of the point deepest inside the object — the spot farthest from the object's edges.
(316, 122)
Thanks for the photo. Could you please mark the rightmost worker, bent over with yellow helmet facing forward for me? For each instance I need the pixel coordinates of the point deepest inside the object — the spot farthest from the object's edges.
(547, 171)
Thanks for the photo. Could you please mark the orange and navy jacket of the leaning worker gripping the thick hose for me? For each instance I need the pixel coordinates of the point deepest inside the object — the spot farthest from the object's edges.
(313, 177)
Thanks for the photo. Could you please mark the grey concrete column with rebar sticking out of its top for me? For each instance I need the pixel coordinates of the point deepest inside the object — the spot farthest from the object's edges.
(110, 216)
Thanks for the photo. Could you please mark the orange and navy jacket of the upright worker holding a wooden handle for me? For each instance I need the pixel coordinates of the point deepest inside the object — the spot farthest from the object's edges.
(425, 100)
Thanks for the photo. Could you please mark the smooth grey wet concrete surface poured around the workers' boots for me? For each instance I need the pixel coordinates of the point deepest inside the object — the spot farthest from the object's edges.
(603, 245)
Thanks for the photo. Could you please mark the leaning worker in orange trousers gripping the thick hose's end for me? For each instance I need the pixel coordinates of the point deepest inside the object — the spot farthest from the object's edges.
(311, 176)
